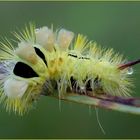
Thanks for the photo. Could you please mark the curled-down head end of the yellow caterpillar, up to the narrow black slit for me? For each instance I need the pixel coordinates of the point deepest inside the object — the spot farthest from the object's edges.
(23, 77)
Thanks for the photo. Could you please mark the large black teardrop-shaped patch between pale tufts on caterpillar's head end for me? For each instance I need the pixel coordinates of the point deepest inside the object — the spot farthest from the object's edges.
(23, 70)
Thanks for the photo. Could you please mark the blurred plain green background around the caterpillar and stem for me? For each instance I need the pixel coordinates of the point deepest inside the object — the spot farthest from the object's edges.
(111, 24)
